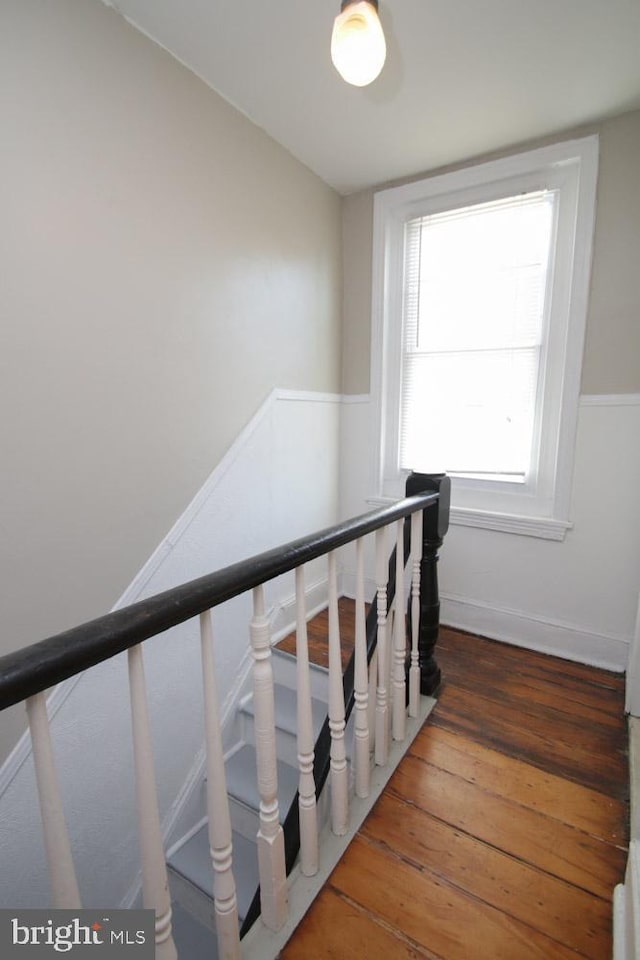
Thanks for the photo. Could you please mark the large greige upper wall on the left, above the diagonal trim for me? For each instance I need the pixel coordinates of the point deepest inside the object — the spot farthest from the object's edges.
(165, 265)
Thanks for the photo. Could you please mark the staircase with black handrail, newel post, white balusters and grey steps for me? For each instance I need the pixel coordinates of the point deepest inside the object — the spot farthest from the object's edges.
(386, 713)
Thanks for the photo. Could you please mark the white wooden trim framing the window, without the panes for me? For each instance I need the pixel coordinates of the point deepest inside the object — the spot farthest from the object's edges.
(545, 514)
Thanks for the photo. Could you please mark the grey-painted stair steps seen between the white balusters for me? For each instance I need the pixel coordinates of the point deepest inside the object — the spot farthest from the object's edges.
(189, 860)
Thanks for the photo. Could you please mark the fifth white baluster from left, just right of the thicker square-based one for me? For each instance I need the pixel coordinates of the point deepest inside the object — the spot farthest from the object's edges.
(306, 783)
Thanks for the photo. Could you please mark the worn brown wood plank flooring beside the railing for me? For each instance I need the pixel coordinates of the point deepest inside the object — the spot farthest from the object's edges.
(503, 831)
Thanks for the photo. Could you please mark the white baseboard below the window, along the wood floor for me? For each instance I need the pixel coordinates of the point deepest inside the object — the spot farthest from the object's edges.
(535, 633)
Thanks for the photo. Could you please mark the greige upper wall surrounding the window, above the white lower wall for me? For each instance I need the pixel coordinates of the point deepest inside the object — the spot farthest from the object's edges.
(611, 363)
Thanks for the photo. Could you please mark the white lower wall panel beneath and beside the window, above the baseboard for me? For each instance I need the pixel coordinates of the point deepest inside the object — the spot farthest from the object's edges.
(575, 598)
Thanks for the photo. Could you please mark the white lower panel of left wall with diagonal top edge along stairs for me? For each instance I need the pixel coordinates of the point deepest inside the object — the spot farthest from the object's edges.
(278, 482)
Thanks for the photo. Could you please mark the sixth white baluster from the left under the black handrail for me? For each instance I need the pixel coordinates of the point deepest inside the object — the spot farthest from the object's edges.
(339, 772)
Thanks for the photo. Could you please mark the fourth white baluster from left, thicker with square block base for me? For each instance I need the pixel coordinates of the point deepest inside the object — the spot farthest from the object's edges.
(270, 839)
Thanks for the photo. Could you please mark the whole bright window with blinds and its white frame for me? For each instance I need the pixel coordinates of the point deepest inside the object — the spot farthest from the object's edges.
(480, 292)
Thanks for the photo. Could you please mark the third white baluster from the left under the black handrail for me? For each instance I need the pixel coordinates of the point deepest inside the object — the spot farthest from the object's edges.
(220, 845)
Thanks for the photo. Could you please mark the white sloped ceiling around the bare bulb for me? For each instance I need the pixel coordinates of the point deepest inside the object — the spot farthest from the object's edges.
(462, 77)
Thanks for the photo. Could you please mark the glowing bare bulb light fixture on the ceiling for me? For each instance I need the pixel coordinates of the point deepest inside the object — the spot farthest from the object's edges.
(358, 48)
